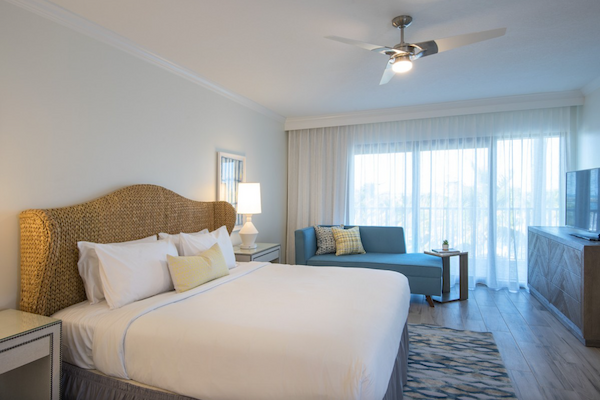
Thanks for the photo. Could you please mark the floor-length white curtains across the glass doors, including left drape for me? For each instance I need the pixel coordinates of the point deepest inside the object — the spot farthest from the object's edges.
(476, 180)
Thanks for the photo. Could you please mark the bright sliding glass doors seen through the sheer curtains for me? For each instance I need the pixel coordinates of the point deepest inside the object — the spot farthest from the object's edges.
(480, 193)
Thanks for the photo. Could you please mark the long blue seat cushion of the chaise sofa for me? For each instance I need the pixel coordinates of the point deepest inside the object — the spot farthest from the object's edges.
(410, 264)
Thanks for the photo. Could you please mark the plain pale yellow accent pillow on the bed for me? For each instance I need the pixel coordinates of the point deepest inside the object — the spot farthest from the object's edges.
(190, 272)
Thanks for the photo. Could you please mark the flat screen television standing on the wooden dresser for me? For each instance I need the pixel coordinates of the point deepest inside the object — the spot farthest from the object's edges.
(583, 196)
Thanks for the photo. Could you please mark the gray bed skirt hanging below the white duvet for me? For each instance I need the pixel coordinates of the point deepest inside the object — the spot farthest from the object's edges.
(82, 384)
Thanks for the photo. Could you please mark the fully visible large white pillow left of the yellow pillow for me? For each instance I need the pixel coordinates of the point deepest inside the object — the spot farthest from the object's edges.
(134, 272)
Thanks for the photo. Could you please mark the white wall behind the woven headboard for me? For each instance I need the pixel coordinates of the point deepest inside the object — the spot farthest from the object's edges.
(79, 119)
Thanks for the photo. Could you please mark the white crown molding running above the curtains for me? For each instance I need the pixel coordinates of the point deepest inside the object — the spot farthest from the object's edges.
(479, 106)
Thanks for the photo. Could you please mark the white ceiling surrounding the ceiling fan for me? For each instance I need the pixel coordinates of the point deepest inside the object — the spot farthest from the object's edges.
(274, 51)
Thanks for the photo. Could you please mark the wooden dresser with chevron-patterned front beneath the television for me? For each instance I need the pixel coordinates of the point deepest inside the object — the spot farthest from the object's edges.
(564, 275)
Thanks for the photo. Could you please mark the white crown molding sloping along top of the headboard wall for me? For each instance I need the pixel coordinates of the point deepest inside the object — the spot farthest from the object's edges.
(77, 23)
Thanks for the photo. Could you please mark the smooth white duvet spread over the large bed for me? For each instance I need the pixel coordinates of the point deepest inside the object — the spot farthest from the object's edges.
(266, 331)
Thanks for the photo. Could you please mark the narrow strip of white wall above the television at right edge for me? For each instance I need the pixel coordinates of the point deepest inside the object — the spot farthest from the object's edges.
(588, 137)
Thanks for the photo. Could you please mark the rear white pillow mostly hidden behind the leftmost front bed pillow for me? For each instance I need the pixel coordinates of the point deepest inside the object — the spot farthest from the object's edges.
(89, 269)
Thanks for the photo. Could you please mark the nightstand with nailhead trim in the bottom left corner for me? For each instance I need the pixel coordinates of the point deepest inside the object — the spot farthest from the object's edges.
(30, 356)
